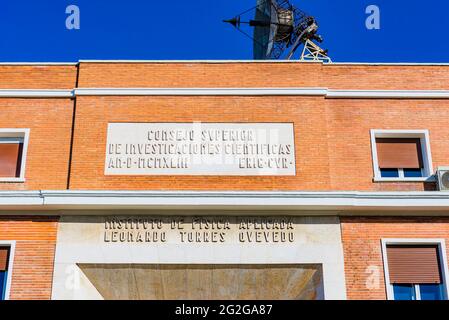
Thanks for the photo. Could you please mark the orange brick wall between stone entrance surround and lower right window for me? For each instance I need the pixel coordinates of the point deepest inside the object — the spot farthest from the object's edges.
(361, 238)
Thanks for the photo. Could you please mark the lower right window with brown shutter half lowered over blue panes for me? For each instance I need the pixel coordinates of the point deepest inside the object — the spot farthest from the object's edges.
(415, 270)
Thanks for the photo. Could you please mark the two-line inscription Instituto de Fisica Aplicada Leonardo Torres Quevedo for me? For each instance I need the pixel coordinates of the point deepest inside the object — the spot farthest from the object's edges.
(199, 230)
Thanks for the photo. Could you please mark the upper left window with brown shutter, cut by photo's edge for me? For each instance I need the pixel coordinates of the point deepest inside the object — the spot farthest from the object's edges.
(13, 150)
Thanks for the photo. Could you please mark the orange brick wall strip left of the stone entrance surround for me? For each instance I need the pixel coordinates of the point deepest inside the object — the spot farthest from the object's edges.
(34, 254)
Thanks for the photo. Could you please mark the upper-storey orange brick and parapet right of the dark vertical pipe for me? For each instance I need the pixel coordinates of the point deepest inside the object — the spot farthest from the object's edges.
(322, 126)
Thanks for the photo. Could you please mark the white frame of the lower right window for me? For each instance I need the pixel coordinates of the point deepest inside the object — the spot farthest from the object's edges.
(415, 241)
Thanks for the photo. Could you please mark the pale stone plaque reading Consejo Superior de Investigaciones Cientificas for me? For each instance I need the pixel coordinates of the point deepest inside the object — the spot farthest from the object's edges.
(234, 149)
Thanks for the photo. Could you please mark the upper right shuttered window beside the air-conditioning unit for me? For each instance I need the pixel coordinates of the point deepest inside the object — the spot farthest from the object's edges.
(400, 155)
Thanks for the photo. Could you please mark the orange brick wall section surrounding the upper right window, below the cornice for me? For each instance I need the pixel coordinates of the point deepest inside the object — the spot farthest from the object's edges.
(349, 125)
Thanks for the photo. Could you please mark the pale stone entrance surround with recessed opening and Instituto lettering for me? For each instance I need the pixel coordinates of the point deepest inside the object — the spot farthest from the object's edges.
(177, 255)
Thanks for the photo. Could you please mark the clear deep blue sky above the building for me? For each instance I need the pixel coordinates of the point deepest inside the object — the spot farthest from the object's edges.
(34, 30)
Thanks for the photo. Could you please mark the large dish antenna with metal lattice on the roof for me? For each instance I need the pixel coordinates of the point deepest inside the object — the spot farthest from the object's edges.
(280, 29)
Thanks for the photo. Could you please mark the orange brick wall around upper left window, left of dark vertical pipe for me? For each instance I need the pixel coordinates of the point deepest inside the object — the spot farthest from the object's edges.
(50, 124)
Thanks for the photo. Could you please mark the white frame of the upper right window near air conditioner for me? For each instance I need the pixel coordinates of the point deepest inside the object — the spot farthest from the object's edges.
(423, 135)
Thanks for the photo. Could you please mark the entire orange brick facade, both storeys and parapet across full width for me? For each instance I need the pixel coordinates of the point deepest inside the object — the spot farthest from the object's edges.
(332, 138)
